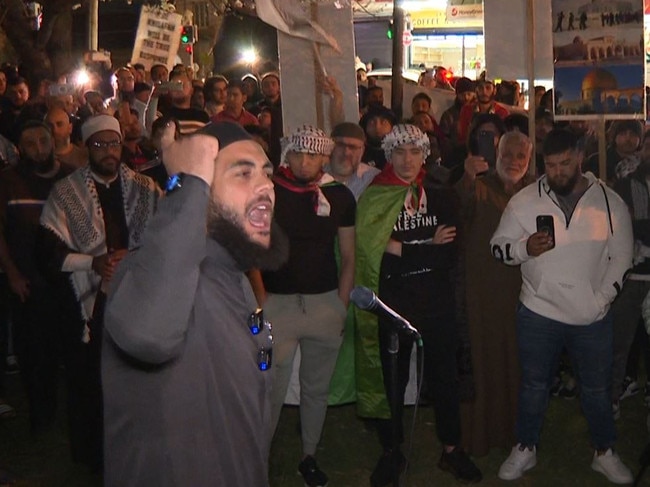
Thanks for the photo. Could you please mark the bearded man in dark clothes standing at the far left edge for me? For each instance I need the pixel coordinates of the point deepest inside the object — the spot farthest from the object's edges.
(23, 191)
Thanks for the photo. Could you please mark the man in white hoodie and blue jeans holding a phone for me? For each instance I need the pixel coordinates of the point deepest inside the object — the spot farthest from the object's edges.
(570, 277)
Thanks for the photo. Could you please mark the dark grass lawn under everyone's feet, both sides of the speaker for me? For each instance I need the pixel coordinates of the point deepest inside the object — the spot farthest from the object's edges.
(349, 449)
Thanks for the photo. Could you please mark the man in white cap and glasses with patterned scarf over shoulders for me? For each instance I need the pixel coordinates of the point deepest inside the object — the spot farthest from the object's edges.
(89, 222)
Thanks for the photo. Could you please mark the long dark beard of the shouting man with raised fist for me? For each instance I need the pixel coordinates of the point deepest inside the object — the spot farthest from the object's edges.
(224, 228)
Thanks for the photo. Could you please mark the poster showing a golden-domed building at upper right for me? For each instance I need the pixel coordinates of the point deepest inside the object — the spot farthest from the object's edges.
(599, 58)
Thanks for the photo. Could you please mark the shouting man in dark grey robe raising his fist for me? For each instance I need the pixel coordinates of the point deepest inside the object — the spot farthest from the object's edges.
(186, 356)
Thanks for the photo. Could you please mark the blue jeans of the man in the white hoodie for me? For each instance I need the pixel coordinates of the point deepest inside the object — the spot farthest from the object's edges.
(540, 341)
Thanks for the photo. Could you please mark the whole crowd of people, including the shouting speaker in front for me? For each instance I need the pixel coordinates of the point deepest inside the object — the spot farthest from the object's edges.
(172, 248)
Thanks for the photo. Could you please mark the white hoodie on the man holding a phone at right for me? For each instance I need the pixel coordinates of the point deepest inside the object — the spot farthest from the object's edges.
(576, 281)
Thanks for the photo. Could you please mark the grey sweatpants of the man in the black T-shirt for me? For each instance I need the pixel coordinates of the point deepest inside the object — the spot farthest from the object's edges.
(315, 322)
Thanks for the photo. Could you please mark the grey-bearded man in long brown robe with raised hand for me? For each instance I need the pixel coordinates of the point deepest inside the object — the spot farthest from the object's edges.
(488, 418)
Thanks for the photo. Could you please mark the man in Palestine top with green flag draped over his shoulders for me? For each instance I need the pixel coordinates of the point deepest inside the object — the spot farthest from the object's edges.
(406, 251)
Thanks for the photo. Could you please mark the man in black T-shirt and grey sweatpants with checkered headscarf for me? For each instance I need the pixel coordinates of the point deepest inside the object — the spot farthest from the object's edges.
(308, 297)
